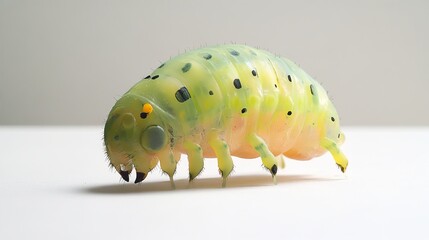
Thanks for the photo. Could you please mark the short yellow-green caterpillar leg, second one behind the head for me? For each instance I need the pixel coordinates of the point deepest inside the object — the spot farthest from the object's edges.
(195, 158)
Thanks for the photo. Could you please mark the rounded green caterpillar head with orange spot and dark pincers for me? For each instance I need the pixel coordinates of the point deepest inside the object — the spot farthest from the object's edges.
(134, 135)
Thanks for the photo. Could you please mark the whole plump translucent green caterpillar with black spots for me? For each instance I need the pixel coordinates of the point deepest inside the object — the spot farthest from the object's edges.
(217, 102)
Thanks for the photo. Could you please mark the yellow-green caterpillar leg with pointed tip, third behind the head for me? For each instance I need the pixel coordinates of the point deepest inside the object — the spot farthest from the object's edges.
(221, 149)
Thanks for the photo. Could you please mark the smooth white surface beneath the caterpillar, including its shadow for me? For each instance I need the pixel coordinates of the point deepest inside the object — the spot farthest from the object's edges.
(55, 184)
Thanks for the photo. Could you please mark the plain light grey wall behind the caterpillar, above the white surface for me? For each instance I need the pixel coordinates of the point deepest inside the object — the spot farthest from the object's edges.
(65, 62)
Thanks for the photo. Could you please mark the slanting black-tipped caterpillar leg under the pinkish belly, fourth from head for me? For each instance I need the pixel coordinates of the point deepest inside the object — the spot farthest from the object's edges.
(267, 157)
